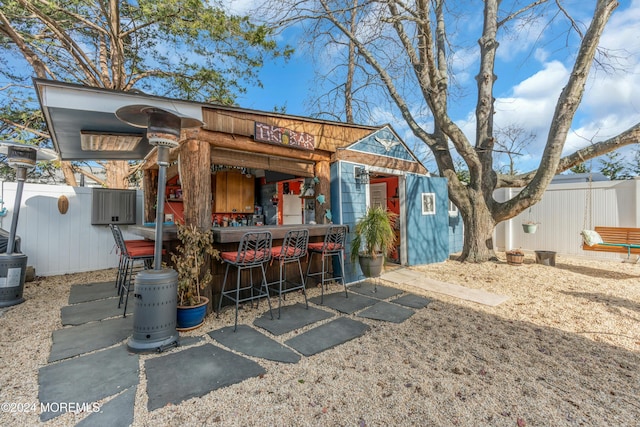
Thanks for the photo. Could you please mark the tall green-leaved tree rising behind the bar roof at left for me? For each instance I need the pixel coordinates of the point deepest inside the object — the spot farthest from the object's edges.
(179, 48)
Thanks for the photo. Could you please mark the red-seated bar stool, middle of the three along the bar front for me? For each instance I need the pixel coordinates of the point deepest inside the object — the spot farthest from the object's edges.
(294, 247)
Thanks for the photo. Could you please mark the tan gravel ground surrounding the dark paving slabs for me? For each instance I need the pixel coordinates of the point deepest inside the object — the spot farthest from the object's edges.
(563, 350)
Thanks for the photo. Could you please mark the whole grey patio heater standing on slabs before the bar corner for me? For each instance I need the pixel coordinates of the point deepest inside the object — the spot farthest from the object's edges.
(155, 291)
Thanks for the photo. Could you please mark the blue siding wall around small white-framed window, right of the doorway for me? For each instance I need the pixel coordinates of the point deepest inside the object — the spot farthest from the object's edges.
(428, 235)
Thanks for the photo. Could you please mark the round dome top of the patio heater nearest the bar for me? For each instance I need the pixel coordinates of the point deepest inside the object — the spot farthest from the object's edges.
(163, 125)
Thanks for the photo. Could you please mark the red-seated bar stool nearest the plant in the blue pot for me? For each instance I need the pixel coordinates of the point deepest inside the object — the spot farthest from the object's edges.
(254, 250)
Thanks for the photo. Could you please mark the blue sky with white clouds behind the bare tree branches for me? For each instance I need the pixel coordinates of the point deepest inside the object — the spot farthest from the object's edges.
(532, 71)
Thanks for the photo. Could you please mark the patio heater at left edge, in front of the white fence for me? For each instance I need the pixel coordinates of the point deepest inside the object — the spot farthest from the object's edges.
(13, 265)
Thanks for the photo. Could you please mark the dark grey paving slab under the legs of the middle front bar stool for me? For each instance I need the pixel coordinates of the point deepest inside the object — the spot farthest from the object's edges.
(292, 317)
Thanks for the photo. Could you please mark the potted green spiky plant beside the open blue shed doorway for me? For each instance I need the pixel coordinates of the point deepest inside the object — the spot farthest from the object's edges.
(374, 237)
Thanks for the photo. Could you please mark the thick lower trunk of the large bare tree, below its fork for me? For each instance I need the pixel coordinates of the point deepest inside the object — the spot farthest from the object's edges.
(478, 233)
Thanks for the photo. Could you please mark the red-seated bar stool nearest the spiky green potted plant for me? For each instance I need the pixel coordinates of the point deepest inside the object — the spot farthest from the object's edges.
(333, 245)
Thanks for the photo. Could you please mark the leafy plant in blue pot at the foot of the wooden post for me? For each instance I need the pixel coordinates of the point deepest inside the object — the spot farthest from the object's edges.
(190, 261)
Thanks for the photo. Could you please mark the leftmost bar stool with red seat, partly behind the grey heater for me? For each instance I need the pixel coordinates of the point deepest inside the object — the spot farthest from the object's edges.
(130, 255)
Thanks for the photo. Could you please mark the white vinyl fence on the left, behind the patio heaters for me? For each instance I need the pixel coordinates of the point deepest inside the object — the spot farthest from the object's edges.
(60, 244)
